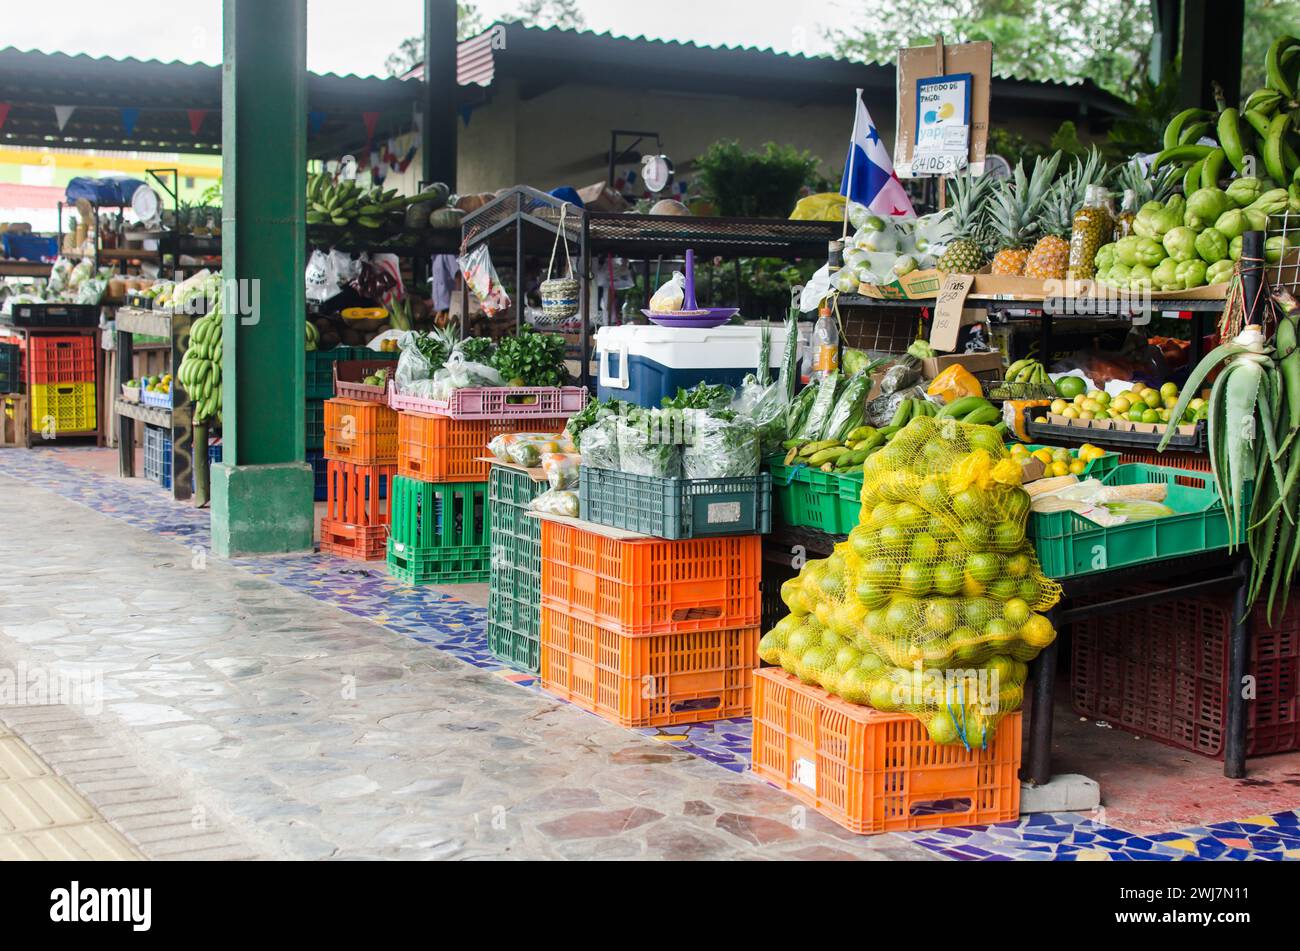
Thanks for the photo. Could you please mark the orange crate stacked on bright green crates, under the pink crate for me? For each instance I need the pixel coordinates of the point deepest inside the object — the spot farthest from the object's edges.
(443, 471)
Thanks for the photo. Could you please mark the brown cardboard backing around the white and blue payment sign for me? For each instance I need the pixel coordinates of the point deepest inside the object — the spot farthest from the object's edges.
(938, 62)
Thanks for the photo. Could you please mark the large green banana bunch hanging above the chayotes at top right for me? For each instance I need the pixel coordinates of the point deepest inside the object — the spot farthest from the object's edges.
(1266, 125)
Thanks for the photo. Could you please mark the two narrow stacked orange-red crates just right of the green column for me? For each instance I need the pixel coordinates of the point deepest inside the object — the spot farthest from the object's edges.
(361, 461)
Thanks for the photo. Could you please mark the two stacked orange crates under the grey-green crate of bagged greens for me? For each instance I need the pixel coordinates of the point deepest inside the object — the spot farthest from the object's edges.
(648, 632)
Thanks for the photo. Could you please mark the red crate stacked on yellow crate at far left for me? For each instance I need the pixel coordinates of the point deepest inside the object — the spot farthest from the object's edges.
(63, 385)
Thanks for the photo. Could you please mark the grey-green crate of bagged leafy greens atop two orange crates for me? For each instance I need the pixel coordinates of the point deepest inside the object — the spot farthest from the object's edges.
(677, 510)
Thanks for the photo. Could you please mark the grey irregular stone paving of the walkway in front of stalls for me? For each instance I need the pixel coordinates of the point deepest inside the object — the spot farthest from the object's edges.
(304, 732)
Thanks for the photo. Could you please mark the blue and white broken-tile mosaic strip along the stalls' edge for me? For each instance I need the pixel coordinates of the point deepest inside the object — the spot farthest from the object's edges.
(447, 624)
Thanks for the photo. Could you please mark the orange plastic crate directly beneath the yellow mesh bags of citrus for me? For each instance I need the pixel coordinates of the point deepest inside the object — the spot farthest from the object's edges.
(876, 772)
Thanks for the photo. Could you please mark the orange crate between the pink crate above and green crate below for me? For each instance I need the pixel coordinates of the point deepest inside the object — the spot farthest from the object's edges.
(437, 449)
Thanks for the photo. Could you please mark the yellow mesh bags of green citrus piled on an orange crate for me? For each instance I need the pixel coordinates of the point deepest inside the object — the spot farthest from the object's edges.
(934, 607)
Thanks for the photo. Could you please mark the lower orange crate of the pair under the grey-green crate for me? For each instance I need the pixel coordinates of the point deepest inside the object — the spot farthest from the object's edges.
(649, 681)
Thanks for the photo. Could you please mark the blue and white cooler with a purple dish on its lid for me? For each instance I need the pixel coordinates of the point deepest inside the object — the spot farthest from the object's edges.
(643, 364)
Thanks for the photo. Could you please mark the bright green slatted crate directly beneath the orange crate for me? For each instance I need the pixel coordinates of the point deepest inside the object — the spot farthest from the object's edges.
(452, 515)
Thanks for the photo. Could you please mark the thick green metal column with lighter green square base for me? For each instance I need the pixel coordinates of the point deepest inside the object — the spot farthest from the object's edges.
(263, 492)
